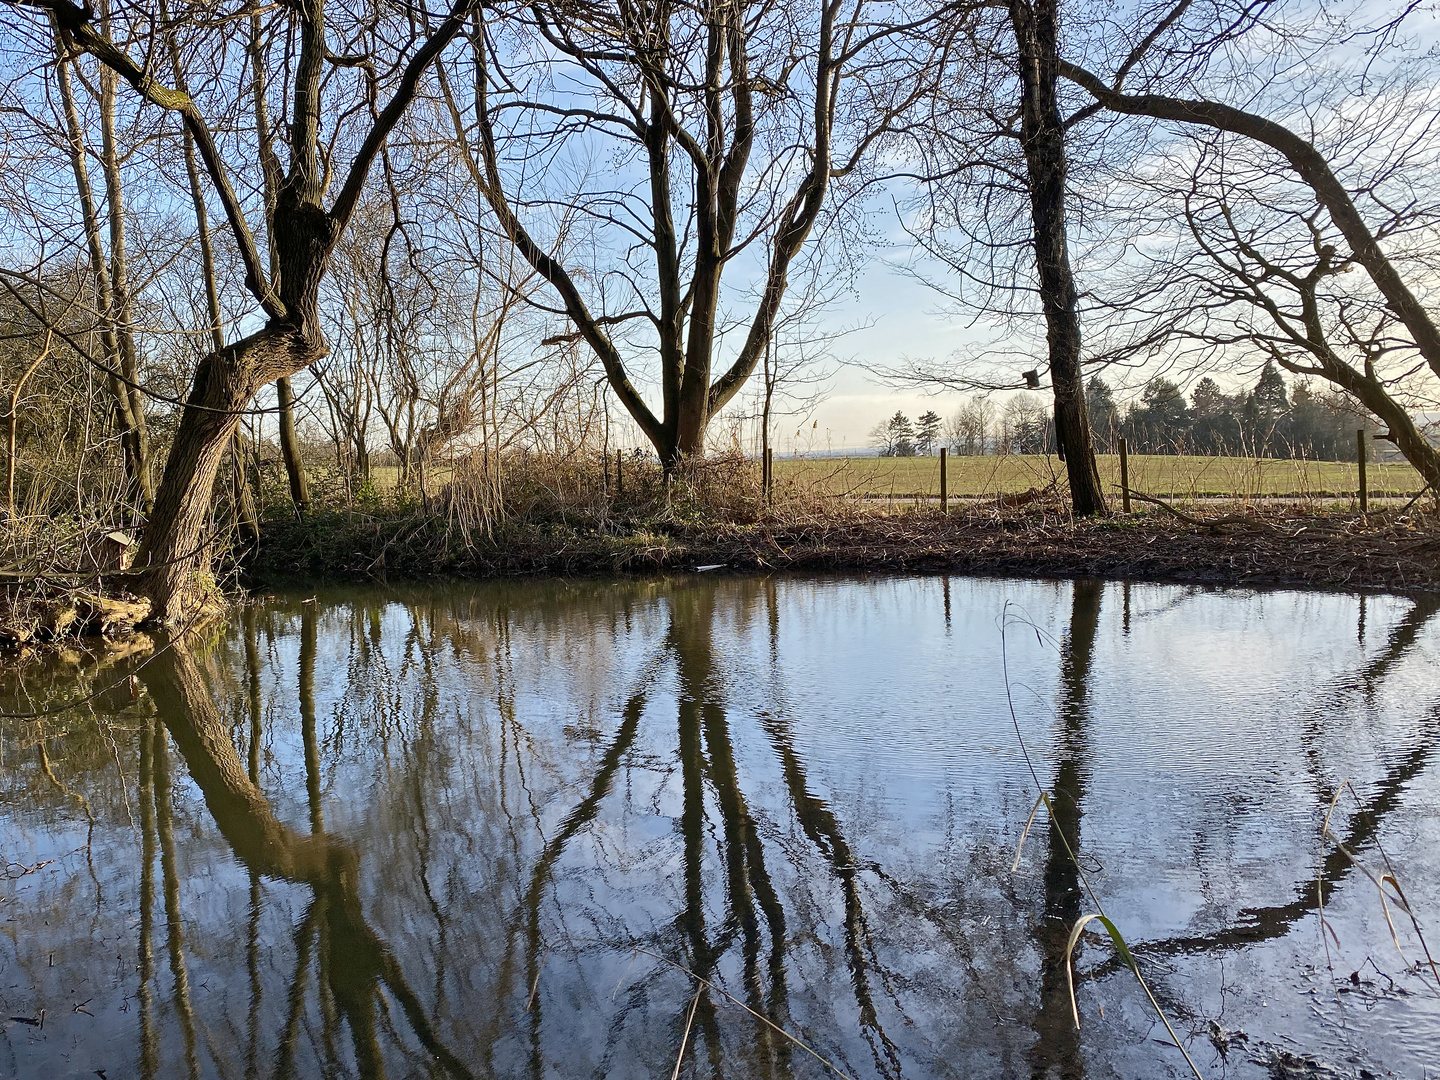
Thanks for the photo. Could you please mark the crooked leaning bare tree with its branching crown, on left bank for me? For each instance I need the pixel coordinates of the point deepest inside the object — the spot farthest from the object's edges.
(303, 230)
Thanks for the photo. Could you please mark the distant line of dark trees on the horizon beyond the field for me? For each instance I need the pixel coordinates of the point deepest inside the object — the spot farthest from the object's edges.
(1271, 420)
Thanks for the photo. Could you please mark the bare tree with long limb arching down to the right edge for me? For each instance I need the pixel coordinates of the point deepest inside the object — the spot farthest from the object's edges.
(1272, 222)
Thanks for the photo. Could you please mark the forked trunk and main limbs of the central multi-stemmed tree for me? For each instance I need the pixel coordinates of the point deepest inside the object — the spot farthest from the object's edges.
(686, 310)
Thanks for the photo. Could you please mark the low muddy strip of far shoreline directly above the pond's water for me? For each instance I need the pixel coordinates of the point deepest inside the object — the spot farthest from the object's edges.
(1282, 548)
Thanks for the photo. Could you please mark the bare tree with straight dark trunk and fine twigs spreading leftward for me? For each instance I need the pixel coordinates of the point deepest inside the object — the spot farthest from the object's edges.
(994, 152)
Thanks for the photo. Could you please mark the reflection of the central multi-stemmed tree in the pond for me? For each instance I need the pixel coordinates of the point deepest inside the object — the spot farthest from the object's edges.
(754, 911)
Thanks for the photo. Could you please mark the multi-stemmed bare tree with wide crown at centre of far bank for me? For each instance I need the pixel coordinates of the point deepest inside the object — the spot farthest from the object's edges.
(721, 130)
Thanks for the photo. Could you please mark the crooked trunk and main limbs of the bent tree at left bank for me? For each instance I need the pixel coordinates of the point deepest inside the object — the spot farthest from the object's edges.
(303, 238)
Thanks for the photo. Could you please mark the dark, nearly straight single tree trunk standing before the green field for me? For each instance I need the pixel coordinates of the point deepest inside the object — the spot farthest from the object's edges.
(1043, 139)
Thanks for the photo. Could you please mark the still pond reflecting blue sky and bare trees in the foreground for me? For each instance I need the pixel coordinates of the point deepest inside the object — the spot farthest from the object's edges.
(732, 829)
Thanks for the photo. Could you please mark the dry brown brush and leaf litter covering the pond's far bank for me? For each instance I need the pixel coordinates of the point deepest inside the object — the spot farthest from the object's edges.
(568, 522)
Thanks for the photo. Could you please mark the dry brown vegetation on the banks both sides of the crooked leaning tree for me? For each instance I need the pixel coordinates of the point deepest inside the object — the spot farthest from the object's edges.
(571, 518)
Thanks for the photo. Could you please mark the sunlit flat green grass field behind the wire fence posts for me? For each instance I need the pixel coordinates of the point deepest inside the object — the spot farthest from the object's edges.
(1164, 476)
